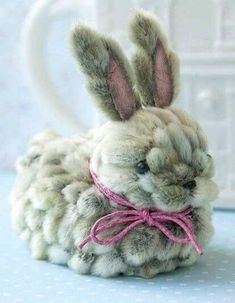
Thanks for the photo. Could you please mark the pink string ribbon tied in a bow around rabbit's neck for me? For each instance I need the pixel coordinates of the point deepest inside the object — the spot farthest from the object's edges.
(127, 219)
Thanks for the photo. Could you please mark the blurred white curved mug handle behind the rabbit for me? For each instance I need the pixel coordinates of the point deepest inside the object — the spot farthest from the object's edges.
(34, 37)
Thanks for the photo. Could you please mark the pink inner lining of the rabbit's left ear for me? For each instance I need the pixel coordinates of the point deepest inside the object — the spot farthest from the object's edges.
(122, 93)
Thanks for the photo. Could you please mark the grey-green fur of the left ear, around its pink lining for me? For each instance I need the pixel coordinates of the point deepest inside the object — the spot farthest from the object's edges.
(93, 52)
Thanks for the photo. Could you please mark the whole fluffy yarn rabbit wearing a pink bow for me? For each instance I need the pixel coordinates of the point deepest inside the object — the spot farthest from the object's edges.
(133, 196)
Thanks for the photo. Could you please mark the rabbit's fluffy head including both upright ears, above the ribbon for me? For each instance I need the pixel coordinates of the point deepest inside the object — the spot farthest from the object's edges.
(151, 153)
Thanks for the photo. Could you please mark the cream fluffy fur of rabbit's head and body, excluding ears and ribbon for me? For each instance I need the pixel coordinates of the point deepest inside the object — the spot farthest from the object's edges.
(55, 203)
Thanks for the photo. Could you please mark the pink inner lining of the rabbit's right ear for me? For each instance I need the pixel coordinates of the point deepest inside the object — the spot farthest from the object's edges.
(163, 79)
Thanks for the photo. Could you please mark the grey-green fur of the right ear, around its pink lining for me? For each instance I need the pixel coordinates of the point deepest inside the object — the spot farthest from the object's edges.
(145, 32)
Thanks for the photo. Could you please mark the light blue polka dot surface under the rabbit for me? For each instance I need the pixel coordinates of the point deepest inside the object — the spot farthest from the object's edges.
(23, 280)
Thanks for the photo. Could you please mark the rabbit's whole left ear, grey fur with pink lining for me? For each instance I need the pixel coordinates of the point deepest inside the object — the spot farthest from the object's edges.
(109, 74)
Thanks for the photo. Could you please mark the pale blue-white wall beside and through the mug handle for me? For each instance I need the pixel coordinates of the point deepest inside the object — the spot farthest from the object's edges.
(21, 113)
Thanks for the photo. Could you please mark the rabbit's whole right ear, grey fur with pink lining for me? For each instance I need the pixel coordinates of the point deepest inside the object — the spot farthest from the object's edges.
(156, 66)
